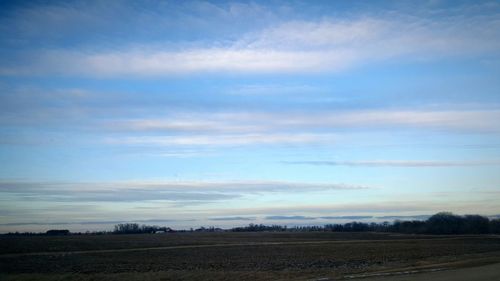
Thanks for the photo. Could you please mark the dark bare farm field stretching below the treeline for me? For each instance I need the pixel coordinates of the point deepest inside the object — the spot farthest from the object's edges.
(250, 256)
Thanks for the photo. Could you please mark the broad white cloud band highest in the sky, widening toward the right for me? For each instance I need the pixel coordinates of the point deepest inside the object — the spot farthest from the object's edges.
(296, 46)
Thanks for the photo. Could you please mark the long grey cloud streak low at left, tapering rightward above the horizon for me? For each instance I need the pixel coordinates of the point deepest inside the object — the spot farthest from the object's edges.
(175, 192)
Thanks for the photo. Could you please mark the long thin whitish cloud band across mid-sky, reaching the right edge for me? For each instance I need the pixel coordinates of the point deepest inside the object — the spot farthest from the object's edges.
(251, 126)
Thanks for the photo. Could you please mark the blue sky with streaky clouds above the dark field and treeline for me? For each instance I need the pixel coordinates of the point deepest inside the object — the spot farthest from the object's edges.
(225, 113)
